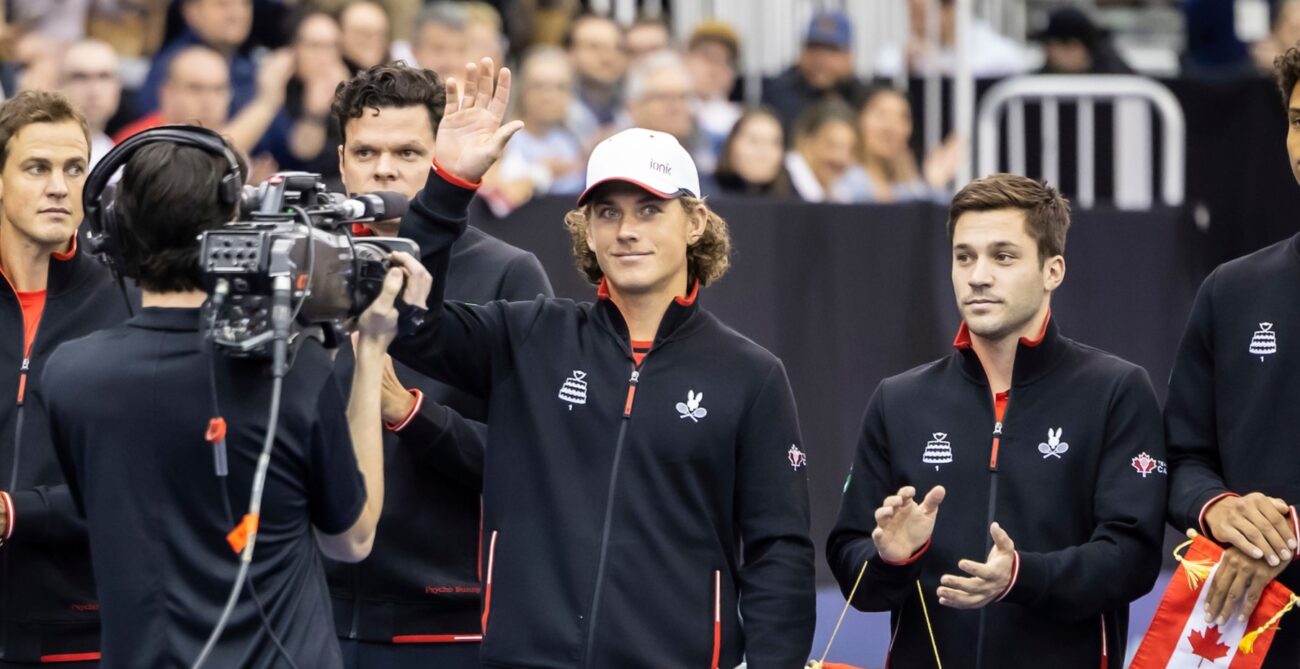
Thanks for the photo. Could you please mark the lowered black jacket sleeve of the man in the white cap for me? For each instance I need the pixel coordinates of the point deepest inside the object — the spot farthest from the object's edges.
(778, 597)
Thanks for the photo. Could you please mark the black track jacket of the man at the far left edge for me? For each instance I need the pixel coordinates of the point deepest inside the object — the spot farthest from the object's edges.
(49, 609)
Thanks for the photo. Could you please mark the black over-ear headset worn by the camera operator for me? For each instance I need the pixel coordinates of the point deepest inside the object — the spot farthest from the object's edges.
(103, 220)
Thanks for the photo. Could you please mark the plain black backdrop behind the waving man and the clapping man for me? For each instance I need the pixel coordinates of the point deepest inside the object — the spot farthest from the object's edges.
(847, 296)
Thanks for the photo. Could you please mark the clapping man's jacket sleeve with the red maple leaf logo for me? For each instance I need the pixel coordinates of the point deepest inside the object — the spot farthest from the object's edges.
(1121, 561)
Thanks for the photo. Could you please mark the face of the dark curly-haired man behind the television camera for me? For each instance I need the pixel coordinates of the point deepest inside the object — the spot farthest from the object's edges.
(388, 150)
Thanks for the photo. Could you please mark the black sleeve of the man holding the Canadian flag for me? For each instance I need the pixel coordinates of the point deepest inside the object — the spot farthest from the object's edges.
(1195, 471)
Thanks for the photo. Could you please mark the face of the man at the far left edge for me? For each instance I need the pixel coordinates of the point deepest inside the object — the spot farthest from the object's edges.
(41, 185)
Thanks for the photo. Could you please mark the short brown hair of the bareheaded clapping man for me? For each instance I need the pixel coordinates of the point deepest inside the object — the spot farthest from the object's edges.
(1047, 214)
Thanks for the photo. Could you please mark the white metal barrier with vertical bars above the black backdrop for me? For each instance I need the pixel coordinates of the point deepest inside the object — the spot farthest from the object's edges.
(1132, 97)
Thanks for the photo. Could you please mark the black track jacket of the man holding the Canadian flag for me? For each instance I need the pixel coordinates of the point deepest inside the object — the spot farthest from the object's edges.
(1232, 412)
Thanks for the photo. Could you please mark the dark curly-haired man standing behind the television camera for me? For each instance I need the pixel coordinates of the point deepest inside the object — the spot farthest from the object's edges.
(417, 601)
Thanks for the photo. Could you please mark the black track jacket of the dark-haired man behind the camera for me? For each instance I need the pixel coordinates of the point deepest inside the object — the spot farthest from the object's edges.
(422, 583)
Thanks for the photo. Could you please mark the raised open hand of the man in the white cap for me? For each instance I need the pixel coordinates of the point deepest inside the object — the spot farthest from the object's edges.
(471, 137)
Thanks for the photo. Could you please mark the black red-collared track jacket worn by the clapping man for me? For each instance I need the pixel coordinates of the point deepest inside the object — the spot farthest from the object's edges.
(1078, 483)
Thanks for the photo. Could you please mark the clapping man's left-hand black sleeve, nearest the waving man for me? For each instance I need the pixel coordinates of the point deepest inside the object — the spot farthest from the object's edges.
(885, 587)
